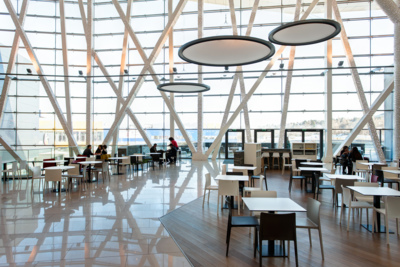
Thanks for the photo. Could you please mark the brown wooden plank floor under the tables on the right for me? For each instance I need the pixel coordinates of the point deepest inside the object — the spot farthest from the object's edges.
(201, 233)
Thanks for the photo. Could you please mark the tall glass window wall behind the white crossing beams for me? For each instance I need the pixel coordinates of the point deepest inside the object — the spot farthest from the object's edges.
(30, 120)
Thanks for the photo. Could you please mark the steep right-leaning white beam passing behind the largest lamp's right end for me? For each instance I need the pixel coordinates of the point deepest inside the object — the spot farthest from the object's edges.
(235, 78)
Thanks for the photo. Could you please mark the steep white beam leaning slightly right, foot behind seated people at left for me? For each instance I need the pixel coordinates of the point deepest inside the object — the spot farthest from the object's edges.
(122, 71)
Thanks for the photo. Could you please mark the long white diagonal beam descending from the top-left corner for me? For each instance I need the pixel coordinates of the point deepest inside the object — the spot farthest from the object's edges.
(43, 78)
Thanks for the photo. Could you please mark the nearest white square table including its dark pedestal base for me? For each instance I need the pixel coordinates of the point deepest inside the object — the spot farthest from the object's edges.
(272, 205)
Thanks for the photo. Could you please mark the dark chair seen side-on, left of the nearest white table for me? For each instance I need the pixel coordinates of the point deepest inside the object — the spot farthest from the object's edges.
(240, 221)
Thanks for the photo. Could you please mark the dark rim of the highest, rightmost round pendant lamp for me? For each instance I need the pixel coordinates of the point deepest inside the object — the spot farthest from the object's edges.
(331, 22)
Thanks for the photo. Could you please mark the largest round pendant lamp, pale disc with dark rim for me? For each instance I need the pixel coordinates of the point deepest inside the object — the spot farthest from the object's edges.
(227, 50)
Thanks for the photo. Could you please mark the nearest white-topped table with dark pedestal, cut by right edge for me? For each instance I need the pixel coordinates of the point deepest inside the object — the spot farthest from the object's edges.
(377, 193)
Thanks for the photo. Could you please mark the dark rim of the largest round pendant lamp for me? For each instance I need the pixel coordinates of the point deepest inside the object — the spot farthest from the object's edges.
(229, 37)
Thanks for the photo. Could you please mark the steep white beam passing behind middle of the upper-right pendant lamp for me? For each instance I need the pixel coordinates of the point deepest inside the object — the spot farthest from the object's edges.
(288, 85)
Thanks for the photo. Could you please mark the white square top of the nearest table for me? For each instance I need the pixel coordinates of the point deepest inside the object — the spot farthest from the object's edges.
(272, 204)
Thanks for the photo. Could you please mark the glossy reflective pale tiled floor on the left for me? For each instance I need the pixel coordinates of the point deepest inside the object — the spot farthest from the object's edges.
(114, 223)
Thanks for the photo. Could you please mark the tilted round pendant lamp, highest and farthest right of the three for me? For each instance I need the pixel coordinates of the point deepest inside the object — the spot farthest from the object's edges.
(305, 32)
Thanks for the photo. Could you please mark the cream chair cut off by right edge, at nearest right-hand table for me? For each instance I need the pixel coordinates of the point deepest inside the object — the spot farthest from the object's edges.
(391, 210)
